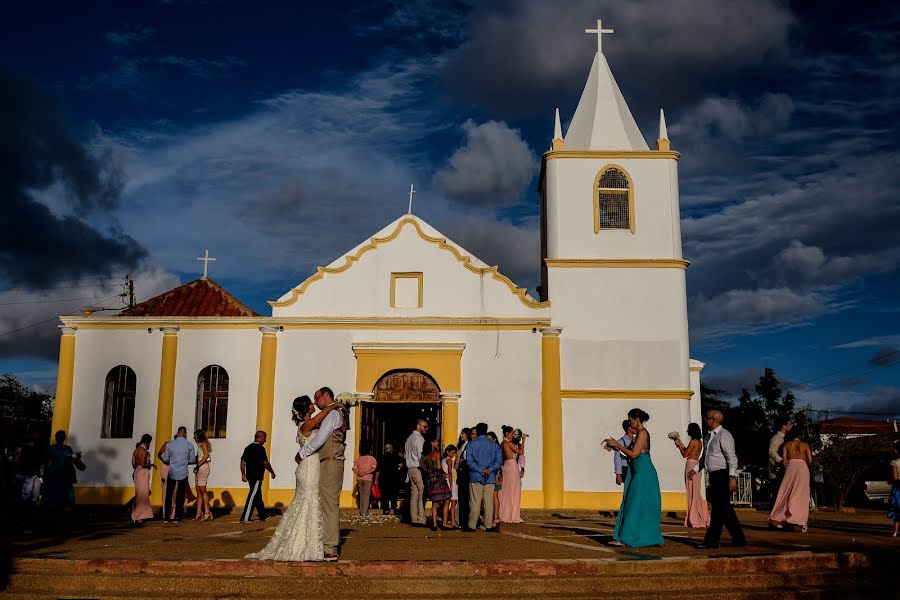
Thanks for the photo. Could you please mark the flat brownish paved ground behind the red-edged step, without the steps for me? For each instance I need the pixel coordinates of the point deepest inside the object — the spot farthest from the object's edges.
(105, 533)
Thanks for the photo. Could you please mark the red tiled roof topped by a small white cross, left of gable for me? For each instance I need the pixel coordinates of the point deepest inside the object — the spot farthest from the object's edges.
(199, 298)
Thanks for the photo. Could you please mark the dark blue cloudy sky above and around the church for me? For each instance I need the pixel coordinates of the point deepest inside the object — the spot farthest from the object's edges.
(134, 136)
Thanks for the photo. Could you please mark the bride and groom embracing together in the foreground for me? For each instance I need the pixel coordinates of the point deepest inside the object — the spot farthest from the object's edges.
(310, 527)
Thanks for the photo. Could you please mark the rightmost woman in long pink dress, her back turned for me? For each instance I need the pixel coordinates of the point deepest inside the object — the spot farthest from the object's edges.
(792, 503)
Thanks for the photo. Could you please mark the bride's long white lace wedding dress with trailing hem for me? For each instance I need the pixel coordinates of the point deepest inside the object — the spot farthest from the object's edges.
(299, 534)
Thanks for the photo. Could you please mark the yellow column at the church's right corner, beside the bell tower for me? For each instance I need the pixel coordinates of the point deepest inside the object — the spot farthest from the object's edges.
(551, 413)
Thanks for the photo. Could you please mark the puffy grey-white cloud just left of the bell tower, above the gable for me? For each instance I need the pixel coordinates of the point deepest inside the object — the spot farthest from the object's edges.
(493, 166)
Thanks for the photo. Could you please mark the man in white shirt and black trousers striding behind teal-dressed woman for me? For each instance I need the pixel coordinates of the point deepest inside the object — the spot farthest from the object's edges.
(720, 461)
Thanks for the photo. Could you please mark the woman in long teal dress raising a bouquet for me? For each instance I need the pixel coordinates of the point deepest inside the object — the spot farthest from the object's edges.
(638, 521)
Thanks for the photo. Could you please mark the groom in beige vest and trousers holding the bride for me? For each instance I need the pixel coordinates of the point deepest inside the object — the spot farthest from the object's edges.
(329, 442)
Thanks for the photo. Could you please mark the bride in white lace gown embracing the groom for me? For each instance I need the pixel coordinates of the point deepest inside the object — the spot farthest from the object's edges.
(299, 534)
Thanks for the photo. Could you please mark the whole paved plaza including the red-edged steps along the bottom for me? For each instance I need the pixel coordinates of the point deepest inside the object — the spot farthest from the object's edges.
(97, 553)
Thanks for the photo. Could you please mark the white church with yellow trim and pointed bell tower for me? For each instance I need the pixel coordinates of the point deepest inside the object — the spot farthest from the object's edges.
(416, 326)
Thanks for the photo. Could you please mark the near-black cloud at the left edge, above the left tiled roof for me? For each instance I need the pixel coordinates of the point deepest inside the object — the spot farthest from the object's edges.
(40, 246)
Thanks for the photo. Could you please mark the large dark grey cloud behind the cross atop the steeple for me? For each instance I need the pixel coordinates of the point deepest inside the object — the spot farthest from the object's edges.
(526, 55)
